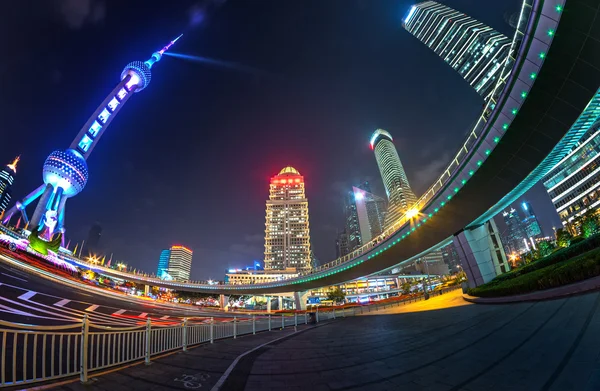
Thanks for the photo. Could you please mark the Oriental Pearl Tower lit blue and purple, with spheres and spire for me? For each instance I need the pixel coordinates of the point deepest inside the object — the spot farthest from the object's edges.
(65, 172)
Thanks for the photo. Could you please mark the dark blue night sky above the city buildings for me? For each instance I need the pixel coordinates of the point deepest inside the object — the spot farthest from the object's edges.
(188, 160)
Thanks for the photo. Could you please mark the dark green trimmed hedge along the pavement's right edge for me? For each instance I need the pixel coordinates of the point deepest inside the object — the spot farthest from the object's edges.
(566, 272)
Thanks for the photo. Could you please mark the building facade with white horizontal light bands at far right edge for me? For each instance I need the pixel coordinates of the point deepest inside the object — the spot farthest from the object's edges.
(574, 183)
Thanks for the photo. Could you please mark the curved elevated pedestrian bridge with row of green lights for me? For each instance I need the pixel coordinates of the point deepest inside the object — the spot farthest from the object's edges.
(547, 97)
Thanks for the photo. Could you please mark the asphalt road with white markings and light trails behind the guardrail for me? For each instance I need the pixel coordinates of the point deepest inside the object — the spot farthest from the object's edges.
(32, 299)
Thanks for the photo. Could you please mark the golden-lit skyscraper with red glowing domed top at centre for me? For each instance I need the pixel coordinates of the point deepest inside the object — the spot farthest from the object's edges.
(287, 233)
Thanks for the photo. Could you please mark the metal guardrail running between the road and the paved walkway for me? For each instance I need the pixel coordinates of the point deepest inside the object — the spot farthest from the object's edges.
(31, 354)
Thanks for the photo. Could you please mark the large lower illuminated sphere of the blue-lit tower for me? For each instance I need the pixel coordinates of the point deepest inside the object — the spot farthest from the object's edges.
(67, 170)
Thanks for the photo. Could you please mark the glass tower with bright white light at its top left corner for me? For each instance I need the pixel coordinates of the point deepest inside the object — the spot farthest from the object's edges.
(371, 213)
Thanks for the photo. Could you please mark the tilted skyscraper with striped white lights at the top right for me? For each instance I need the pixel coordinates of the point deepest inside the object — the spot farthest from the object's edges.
(476, 51)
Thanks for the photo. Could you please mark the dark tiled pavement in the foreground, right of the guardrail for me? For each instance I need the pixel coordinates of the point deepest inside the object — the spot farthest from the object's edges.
(551, 345)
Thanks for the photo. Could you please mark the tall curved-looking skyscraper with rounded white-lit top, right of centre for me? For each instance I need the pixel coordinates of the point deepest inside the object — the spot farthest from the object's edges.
(400, 195)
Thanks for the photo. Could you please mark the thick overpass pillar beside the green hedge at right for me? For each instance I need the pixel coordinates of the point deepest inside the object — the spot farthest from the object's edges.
(481, 254)
